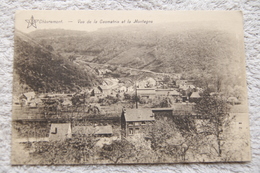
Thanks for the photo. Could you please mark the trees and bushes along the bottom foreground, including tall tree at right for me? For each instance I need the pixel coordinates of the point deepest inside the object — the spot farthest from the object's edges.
(205, 139)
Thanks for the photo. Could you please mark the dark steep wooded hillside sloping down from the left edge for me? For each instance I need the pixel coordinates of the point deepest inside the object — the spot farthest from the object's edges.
(41, 68)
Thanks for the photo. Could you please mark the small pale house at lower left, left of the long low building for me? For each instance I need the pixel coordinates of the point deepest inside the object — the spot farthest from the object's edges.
(60, 131)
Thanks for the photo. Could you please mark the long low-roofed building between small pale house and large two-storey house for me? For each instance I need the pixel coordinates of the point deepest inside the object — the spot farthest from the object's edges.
(104, 131)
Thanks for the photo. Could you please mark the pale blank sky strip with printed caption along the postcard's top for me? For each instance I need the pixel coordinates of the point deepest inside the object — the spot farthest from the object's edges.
(93, 20)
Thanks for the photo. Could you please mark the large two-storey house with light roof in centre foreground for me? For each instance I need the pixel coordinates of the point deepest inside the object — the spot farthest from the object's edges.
(133, 121)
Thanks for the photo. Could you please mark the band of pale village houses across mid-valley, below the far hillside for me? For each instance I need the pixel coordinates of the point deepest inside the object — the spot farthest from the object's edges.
(149, 88)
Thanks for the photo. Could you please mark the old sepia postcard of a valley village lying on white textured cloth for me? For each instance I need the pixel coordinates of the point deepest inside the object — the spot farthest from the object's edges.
(129, 87)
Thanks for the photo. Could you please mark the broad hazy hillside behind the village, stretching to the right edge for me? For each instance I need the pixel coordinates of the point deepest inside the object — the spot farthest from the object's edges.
(211, 56)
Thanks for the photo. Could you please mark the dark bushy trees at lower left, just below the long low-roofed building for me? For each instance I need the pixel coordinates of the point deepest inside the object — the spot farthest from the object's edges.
(79, 149)
